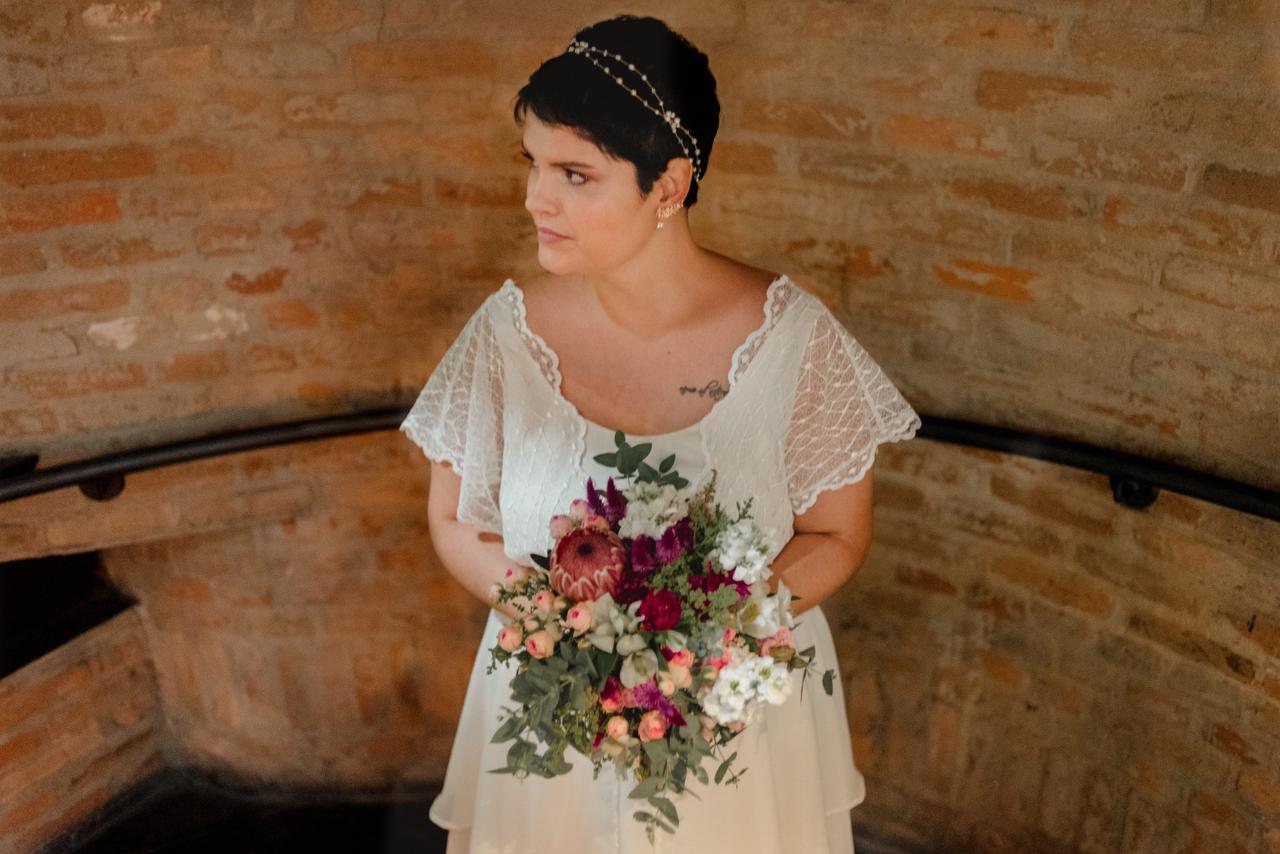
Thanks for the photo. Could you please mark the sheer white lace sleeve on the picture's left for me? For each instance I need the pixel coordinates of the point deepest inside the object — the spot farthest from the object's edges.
(458, 419)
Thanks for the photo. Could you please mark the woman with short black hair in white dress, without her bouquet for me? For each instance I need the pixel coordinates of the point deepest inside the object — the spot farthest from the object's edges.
(638, 328)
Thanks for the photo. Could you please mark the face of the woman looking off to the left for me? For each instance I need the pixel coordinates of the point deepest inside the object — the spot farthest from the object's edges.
(588, 199)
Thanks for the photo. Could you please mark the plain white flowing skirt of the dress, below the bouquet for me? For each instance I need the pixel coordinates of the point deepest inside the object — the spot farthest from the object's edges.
(798, 780)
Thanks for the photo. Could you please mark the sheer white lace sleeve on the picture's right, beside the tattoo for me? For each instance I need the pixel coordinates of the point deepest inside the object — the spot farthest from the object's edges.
(844, 408)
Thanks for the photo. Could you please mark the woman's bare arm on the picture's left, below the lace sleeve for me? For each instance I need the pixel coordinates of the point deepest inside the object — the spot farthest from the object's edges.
(474, 558)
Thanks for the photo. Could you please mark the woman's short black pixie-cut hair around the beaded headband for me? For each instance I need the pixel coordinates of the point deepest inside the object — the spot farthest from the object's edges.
(569, 92)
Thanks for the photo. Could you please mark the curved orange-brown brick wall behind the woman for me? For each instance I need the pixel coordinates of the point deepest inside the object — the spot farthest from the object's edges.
(1062, 216)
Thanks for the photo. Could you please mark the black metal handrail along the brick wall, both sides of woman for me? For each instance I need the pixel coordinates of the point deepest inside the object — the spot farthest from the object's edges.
(1135, 481)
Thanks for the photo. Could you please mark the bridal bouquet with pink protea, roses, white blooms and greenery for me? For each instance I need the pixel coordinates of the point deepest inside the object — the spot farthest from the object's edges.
(648, 638)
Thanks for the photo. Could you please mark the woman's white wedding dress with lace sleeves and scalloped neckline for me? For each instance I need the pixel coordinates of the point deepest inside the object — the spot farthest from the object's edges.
(806, 410)
